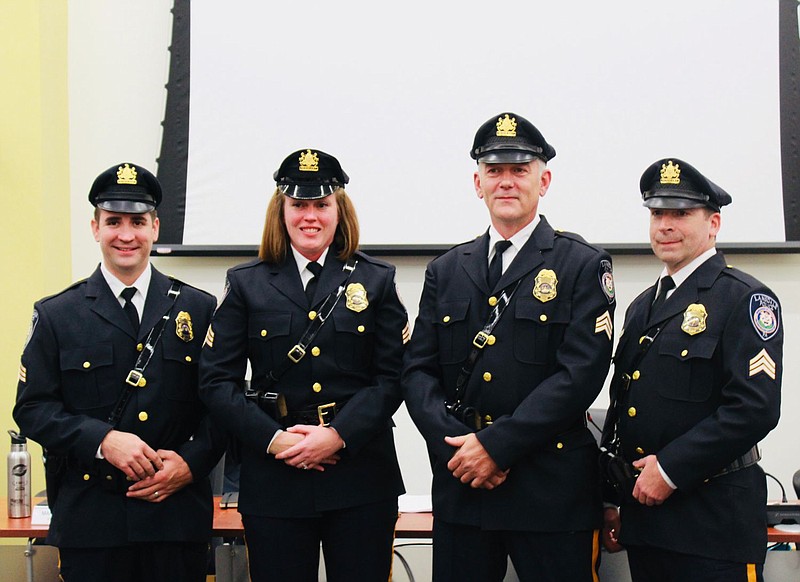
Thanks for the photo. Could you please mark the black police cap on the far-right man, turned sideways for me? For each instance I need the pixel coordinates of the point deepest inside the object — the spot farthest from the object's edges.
(672, 183)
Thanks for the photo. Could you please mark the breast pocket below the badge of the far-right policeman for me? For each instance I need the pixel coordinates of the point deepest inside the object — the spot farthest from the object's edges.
(687, 366)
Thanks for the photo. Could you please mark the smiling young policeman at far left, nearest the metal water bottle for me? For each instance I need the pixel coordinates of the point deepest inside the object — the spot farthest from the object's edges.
(133, 498)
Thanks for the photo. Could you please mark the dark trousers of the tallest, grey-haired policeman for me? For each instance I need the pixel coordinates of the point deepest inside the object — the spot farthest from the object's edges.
(469, 553)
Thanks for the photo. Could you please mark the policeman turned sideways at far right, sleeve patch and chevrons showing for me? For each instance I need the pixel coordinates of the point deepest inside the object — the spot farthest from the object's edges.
(696, 386)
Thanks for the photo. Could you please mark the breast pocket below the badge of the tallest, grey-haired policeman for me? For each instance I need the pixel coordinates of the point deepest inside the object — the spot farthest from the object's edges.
(537, 327)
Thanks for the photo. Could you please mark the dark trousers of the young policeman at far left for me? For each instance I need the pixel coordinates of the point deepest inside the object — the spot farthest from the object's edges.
(142, 562)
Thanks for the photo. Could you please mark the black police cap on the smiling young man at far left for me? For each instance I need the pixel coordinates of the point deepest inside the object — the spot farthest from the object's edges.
(126, 188)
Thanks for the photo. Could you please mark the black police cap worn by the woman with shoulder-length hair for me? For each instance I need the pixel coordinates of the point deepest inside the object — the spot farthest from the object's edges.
(310, 174)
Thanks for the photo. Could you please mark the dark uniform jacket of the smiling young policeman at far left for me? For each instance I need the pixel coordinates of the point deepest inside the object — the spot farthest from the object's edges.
(80, 351)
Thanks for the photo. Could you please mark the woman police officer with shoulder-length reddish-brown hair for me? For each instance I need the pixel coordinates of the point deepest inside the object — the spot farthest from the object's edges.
(323, 330)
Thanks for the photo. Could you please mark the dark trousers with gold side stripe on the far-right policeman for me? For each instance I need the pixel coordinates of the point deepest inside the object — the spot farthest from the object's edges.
(656, 565)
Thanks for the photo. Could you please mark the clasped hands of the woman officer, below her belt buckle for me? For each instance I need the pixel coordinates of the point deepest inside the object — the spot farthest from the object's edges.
(305, 446)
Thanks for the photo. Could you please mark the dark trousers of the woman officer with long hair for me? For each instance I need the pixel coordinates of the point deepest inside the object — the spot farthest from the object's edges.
(357, 544)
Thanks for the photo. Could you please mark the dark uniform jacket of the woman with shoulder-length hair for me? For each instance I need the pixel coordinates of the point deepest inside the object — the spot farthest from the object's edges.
(354, 362)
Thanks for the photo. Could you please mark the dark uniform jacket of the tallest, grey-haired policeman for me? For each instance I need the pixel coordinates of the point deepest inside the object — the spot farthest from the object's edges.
(544, 365)
